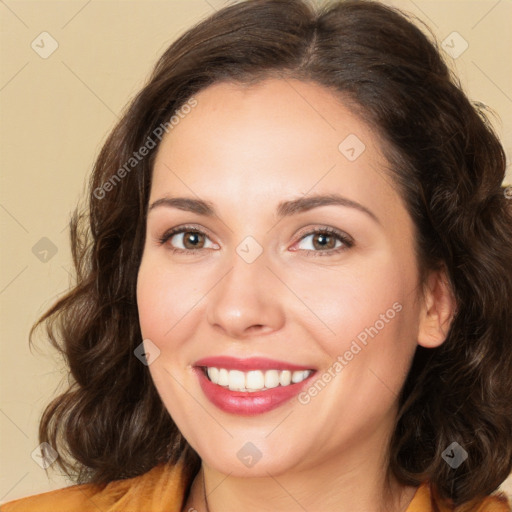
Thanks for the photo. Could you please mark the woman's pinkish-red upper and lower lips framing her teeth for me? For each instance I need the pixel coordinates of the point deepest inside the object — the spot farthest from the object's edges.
(256, 401)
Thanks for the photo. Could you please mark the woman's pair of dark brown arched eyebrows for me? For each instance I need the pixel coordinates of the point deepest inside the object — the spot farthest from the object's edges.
(284, 209)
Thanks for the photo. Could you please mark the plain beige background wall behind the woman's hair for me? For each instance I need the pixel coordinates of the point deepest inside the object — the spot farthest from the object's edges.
(55, 114)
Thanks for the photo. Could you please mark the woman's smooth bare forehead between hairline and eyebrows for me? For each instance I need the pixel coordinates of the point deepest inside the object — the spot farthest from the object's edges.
(276, 138)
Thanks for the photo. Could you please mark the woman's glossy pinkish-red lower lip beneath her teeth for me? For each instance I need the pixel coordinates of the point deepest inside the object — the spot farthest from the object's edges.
(248, 403)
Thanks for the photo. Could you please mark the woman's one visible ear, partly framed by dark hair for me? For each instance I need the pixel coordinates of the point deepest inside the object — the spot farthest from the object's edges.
(437, 310)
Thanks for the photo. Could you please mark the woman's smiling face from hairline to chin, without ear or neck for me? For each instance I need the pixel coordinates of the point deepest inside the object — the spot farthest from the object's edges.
(292, 257)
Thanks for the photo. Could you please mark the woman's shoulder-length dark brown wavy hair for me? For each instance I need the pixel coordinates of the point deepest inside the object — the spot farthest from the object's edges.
(444, 159)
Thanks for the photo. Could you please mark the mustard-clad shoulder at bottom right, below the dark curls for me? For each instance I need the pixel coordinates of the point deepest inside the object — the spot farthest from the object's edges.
(422, 502)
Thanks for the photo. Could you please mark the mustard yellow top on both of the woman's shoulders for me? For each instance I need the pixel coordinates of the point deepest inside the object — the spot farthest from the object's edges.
(163, 490)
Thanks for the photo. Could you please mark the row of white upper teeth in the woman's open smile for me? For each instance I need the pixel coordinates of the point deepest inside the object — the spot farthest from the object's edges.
(255, 380)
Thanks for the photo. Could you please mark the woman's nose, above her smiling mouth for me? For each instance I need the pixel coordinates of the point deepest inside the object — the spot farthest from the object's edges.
(248, 300)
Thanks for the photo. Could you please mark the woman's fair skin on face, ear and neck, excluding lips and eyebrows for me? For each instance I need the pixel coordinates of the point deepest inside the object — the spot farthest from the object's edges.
(245, 150)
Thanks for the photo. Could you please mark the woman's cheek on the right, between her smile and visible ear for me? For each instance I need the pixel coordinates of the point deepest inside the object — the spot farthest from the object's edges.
(372, 322)
